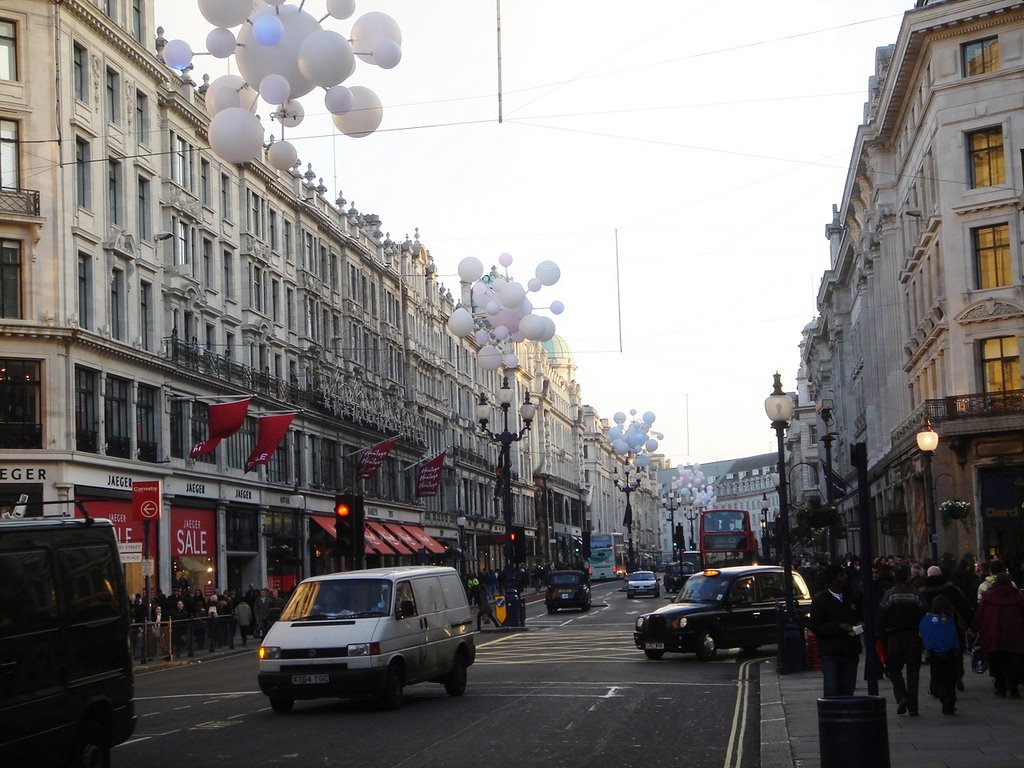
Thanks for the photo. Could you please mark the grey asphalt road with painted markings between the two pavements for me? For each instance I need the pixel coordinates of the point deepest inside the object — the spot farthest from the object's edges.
(571, 693)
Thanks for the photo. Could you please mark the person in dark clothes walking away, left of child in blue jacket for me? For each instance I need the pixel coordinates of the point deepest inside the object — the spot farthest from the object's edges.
(901, 612)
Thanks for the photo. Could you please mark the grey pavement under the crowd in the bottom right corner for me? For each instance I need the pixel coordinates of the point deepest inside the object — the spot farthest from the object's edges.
(986, 733)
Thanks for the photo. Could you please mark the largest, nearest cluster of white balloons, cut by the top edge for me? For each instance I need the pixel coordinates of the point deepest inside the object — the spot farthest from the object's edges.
(283, 54)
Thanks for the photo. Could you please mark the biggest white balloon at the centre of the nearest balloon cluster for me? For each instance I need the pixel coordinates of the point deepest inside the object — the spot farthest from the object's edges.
(257, 62)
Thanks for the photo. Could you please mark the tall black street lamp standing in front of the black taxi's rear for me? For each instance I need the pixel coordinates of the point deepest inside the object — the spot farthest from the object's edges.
(779, 407)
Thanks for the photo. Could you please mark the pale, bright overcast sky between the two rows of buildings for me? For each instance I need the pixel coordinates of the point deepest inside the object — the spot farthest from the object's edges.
(677, 159)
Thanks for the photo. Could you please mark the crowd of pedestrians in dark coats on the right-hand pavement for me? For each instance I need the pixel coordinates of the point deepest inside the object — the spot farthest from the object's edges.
(926, 614)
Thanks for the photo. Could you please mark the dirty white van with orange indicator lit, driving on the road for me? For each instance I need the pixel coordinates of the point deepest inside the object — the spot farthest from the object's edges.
(369, 633)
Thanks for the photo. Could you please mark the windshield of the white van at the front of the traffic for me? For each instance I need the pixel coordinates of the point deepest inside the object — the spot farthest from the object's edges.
(345, 599)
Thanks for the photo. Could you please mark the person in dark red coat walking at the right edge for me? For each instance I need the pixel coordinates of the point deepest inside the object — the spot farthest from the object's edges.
(999, 621)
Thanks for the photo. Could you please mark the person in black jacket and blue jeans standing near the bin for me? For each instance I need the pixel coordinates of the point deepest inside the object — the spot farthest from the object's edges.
(836, 620)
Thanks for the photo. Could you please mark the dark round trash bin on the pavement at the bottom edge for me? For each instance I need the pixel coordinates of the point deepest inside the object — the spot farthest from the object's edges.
(854, 733)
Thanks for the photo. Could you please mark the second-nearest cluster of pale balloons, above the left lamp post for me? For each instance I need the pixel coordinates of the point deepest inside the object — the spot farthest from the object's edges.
(504, 313)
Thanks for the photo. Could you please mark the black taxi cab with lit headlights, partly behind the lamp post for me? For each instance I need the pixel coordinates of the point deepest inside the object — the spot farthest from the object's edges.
(733, 608)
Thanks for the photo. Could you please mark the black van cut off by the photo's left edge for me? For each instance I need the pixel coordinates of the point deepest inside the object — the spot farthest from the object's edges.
(66, 668)
